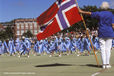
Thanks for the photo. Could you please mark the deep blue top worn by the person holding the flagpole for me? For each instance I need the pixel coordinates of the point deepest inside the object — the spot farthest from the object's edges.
(105, 19)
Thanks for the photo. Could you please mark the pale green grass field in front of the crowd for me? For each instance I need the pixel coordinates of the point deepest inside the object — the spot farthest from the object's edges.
(71, 65)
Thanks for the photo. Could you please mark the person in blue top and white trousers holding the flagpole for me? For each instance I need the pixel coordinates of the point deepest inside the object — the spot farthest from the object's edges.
(105, 31)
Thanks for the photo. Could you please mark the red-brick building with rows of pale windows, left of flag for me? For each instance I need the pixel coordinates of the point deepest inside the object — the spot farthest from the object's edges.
(23, 25)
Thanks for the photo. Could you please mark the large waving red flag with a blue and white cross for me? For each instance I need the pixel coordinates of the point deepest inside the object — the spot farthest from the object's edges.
(65, 15)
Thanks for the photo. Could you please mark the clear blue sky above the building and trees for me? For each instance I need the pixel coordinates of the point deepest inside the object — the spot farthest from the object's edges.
(12, 9)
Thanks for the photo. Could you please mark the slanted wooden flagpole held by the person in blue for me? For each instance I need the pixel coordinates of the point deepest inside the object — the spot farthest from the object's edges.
(88, 34)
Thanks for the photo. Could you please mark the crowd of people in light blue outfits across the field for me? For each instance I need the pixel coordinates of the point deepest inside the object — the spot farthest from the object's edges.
(68, 43)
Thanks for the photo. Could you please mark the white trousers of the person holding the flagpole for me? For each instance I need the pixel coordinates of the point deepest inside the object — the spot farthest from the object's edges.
(105, 46)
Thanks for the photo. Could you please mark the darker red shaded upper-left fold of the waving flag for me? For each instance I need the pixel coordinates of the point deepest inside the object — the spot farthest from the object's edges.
(49, 14)
